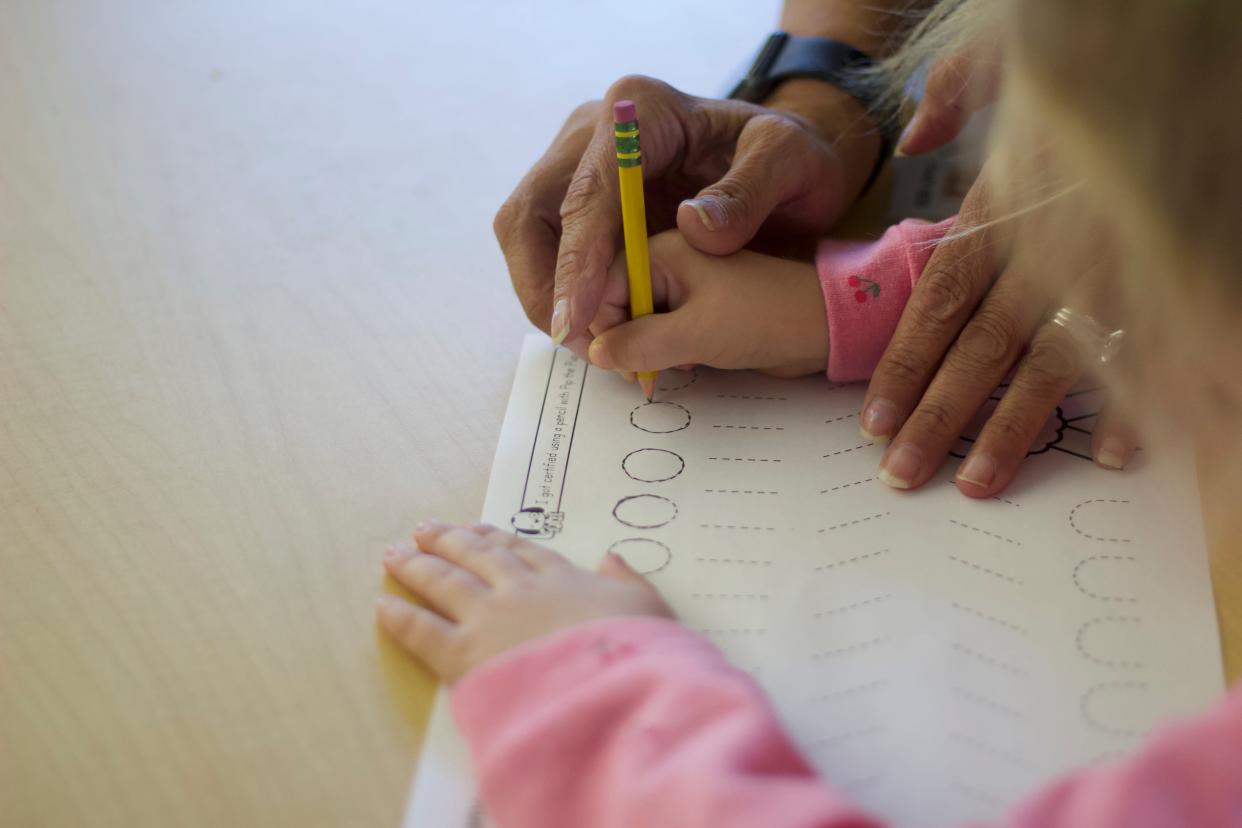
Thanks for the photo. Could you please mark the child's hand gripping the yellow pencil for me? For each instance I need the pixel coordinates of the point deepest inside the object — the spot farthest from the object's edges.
(746, 311)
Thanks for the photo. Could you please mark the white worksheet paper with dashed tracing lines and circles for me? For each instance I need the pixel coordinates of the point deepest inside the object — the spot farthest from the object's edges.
(936, 657)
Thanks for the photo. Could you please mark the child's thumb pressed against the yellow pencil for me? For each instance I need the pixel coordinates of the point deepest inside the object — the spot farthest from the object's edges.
(651, 343)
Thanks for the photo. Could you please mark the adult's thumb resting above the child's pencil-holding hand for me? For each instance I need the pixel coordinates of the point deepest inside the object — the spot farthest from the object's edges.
(723, 218)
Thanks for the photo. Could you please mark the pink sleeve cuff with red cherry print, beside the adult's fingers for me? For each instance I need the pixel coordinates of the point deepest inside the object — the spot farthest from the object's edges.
(866, 287)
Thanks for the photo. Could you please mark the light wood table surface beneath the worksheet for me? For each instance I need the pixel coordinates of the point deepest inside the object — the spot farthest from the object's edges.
(254, 326)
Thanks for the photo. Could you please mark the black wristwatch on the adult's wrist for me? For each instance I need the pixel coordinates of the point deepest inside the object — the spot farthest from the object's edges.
(786, 56)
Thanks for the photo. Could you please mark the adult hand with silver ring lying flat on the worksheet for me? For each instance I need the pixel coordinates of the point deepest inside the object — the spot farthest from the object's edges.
(962, 333)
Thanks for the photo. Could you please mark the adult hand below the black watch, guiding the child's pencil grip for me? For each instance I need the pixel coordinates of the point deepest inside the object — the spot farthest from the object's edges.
(788, 171)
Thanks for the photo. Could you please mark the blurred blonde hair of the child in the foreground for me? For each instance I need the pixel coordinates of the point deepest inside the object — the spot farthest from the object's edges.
(1123, 111)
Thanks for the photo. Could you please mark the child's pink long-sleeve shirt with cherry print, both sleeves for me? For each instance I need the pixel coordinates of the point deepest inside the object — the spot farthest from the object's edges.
(639, 723)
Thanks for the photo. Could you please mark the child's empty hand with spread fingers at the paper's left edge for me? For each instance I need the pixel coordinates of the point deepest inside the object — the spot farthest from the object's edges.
(490, 592)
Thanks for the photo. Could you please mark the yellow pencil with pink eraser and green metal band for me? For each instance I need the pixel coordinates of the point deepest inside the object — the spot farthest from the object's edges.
(634, 220)
